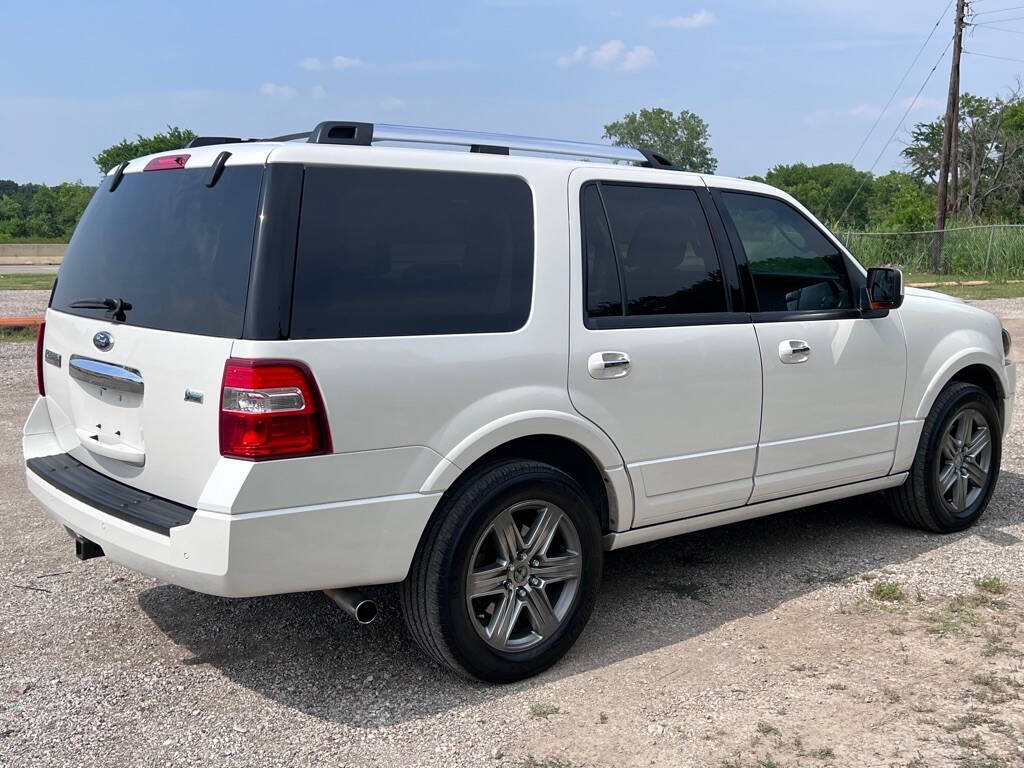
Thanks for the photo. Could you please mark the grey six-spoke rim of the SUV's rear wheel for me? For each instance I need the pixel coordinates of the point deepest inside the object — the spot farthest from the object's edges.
(524, 576)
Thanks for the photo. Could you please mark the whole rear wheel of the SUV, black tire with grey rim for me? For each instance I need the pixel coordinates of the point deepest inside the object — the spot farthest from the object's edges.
(497, 636)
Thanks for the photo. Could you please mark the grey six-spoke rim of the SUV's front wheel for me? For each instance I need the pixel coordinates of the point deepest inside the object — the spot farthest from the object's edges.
(965, 460)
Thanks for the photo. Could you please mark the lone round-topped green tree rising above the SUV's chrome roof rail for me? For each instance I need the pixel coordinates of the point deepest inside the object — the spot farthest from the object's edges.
(684, 139)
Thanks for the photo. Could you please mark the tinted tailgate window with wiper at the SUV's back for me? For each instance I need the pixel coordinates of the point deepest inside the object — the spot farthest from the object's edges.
(174, 248)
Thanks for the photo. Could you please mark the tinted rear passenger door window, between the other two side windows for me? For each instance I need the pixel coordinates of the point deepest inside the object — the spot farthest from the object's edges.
(665, 249)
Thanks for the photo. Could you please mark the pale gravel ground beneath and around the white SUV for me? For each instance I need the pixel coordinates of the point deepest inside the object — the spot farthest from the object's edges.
(756, 645)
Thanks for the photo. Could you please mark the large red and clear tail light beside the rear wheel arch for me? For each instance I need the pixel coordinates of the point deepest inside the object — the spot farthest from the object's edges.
(272, 410)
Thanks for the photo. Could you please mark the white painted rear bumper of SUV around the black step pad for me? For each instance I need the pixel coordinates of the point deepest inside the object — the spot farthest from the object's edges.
(350, 544)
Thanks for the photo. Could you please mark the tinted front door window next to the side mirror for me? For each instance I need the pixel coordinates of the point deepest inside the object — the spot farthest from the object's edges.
(794, 266)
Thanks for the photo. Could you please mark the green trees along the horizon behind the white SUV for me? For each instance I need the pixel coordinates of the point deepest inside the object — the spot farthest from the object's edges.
(990, 167)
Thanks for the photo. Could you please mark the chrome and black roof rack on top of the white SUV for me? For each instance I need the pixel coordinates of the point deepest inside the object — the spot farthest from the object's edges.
(365, 135)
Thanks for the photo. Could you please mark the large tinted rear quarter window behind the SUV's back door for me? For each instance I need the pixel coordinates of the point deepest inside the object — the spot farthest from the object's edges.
(387, 252)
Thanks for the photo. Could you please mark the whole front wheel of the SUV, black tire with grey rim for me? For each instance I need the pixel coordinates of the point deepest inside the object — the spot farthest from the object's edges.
(925, 501)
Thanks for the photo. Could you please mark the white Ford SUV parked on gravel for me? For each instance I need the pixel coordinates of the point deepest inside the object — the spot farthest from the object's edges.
(277, 366)
